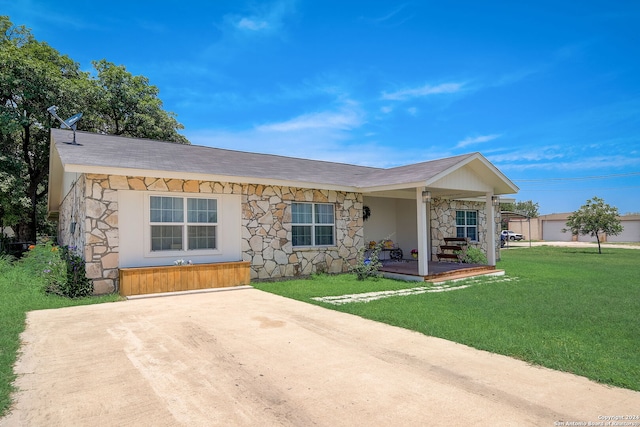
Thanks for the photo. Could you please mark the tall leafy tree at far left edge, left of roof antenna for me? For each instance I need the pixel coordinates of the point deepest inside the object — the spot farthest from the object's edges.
(32, 76)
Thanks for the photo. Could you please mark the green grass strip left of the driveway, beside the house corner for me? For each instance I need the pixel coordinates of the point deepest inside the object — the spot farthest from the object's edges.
(21, 291)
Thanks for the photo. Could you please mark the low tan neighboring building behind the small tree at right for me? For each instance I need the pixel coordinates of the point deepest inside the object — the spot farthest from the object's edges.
(550, 228)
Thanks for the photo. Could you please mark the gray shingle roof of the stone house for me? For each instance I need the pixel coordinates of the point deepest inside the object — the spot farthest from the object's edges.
(143, 154)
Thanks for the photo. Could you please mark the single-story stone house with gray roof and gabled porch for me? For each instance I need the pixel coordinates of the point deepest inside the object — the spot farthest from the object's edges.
(127, 203)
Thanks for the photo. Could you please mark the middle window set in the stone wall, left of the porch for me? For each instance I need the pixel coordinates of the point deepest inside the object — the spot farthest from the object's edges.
(313, 224)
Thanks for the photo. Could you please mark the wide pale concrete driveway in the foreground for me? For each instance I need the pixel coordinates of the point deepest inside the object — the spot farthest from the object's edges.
(245, 357)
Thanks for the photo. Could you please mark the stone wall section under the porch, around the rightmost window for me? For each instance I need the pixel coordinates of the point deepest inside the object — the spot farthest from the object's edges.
(443, 224)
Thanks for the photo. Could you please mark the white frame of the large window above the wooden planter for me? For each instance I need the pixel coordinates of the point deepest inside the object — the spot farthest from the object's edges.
(184, 252)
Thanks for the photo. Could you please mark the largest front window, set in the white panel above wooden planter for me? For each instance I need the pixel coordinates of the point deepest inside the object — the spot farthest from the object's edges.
(180, 223)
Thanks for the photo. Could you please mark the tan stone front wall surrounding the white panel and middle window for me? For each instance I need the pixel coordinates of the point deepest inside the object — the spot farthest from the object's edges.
(266, 225)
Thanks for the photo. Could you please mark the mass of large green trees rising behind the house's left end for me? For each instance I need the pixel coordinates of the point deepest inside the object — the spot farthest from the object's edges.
(35, 76)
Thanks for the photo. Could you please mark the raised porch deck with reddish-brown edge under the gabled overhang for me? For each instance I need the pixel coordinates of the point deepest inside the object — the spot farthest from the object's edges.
(438, 271)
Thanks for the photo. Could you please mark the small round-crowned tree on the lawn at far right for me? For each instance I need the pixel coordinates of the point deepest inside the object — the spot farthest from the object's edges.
(595, 218)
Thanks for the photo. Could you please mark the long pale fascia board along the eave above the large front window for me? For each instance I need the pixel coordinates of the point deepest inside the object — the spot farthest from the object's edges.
(235, 179)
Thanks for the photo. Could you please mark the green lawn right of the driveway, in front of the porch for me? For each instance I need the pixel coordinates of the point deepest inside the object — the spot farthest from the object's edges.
(569, 309)
